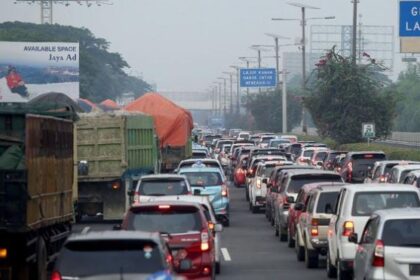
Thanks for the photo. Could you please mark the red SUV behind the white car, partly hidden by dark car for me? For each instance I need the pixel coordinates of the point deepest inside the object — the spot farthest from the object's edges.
(185, 227)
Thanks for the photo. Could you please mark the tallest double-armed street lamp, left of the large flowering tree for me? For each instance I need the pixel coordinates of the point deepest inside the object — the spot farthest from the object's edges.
(303, 44)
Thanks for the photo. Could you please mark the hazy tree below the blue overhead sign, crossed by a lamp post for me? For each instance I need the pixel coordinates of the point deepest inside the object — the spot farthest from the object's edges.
(266, 108)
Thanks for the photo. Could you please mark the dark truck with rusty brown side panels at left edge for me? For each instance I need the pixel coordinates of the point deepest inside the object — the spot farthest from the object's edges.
(36, 180)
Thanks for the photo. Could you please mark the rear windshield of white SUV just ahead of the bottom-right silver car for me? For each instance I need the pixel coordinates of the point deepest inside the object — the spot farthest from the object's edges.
(365, 203)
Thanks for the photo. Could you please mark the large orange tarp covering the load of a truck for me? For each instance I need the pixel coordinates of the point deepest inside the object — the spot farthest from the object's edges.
(173, 123)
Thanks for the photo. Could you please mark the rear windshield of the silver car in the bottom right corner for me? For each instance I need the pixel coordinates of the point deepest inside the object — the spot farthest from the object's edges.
(402, 233)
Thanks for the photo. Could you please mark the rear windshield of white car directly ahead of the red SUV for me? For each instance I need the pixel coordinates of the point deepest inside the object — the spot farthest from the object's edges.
(164, 187)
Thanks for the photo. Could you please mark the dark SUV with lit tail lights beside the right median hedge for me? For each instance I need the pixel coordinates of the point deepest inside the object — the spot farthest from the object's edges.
(356, 165)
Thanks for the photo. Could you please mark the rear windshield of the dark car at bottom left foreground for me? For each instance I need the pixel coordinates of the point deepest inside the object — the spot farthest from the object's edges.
(102, 257)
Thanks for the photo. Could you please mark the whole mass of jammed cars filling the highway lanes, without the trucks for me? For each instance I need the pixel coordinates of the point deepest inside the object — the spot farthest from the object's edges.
(357, 211)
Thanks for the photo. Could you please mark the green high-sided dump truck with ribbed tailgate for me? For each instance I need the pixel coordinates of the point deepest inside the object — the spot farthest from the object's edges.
(113, 151)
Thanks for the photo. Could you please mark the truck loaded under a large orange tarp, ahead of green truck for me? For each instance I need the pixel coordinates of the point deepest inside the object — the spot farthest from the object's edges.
(173, 127)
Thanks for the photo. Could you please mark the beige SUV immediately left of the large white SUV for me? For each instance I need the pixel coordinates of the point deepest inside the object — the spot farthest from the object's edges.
(312, 225)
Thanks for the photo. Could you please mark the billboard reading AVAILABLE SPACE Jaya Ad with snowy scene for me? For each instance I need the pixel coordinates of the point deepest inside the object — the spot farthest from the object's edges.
(28, 69)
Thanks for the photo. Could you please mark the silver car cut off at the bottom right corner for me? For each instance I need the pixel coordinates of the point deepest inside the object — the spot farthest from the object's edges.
(389, 245)
